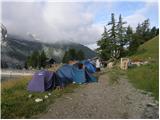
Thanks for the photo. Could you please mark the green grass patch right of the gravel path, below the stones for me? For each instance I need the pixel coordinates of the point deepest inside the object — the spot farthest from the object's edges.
(145, 78)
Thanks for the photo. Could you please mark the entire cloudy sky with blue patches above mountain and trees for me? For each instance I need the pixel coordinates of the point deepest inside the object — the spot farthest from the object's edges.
(80, 22)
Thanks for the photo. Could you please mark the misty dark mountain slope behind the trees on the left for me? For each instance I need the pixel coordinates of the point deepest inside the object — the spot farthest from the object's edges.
(16, 49)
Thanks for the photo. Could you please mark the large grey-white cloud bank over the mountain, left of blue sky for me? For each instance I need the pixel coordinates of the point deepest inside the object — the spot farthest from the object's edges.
(51, 22)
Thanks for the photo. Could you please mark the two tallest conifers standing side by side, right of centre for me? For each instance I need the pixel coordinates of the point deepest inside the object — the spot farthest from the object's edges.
(113, 41)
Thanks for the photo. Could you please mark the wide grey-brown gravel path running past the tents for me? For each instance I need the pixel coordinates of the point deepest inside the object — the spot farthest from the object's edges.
(102, 100)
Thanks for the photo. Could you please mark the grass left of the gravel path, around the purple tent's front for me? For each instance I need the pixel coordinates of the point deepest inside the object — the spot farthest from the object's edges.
(15, 102)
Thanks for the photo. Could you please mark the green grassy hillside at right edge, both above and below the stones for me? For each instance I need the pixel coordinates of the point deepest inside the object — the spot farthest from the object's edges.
(146, 76)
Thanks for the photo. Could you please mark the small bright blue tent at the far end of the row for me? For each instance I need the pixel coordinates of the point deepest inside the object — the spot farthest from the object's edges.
(90, 67)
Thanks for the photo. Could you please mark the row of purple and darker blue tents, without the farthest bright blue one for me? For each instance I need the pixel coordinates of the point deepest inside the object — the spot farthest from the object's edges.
(44, 80)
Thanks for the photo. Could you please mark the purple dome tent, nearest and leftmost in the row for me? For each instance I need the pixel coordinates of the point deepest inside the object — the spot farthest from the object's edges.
(41, 81)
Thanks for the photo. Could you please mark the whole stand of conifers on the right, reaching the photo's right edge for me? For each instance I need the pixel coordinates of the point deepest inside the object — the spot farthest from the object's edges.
(118, 41)
